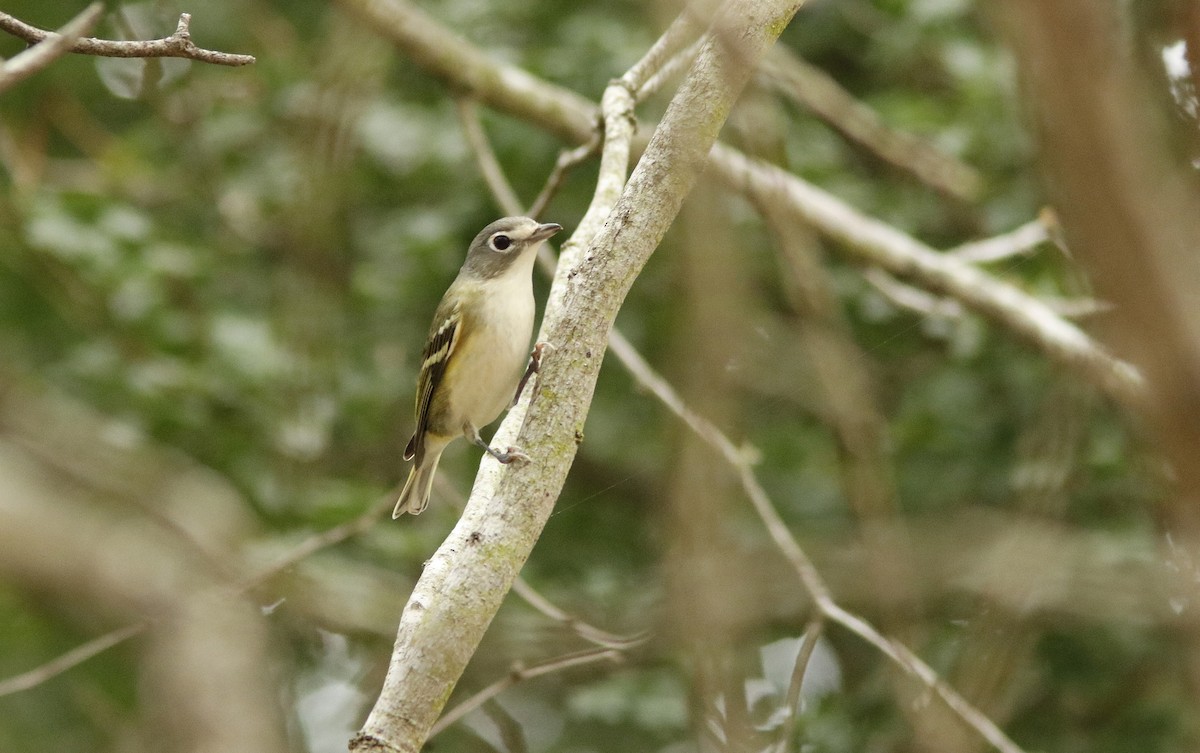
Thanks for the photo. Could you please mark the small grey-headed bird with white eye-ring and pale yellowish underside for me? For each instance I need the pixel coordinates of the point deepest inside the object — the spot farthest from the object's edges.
(471, 368)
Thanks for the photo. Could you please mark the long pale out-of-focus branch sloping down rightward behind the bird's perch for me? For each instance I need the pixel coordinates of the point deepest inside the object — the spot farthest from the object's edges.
(873, 243)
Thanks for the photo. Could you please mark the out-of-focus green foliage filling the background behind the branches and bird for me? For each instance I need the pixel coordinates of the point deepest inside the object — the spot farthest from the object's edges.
(241, 264)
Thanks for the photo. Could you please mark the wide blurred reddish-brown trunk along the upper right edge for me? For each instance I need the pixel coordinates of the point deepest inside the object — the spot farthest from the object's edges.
(1131, 214)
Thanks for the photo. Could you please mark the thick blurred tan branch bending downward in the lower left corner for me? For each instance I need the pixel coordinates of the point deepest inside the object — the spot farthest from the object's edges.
(59, 534)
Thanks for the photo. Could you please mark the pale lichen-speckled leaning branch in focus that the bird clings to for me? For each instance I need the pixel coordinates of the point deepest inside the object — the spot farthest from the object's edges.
(467, 579)
